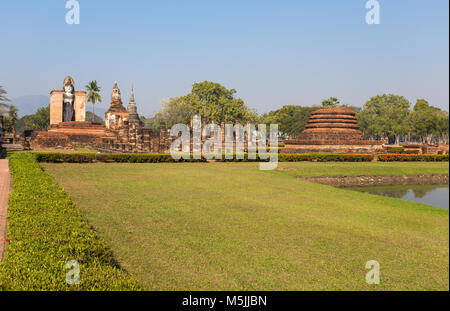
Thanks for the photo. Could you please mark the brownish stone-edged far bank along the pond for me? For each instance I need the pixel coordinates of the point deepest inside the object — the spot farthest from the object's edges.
(376, 180)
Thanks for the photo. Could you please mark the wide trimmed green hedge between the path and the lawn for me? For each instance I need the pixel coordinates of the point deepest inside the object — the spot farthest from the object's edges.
(45, 231)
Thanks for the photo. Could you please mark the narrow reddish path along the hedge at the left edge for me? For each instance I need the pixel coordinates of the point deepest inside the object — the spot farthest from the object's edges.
(5, 188)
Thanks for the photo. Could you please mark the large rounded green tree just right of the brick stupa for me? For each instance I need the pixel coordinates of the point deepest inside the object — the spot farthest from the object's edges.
(385, 116)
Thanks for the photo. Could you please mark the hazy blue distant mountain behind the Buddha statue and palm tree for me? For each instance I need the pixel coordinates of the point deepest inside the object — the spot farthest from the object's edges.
(30, 104)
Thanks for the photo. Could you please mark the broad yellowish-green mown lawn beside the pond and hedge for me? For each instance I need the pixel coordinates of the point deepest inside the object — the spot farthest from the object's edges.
(229, 226)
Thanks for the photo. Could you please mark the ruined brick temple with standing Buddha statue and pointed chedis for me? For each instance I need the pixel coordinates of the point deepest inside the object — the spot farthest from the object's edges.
(123, 131)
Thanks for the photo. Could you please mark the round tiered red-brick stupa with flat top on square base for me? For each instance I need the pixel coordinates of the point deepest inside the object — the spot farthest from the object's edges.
(332, 130)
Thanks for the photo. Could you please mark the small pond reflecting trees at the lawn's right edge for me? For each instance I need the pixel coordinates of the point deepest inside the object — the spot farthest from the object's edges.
(436, 195)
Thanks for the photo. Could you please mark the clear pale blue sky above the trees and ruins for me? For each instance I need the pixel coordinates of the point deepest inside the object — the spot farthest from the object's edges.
(273, 53)
